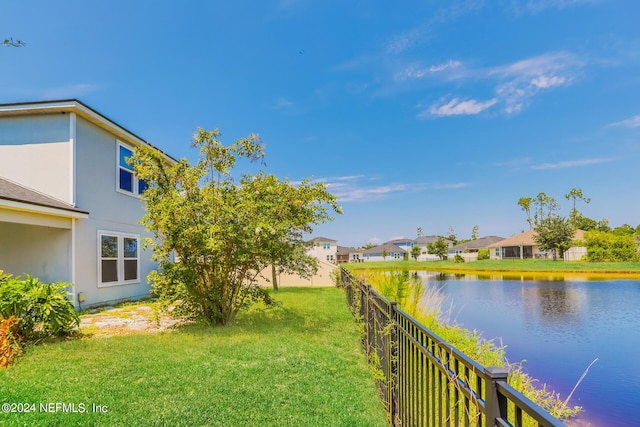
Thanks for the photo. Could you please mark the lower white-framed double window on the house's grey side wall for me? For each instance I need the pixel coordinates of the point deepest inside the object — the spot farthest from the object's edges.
(118, 258)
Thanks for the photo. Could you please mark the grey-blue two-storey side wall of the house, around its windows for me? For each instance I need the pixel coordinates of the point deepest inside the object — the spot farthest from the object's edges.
(109, 210)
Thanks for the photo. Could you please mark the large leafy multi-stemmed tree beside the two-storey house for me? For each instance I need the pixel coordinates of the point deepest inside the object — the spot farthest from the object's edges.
(223, 233)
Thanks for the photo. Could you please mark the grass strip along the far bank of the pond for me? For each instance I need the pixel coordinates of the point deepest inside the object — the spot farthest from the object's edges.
(515, 265)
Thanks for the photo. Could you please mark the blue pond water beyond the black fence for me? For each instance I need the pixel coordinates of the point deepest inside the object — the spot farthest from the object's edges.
(559, 327)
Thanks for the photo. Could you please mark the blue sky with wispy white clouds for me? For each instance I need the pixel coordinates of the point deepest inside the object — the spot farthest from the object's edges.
(431, 114)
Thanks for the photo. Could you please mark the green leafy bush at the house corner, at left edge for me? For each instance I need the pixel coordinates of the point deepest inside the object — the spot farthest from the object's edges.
(44, 308)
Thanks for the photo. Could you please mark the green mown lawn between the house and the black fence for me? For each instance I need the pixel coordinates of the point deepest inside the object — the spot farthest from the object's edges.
(299, 364)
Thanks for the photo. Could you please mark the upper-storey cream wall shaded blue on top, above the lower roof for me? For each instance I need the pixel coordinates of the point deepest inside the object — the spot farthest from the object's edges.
(36, 151)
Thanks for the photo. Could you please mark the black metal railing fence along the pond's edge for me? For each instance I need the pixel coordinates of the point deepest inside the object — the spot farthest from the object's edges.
(424, 381)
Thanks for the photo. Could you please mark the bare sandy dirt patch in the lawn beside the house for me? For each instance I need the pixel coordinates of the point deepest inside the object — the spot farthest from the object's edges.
(127, 320)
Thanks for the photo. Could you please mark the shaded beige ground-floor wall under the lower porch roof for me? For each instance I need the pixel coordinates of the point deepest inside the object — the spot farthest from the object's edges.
(42, 252)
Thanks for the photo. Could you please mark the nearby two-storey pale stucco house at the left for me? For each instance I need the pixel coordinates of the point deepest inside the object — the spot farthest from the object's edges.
(69, 202)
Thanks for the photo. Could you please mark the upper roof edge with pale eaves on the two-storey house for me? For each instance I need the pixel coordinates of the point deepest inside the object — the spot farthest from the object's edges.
(66, 106)
